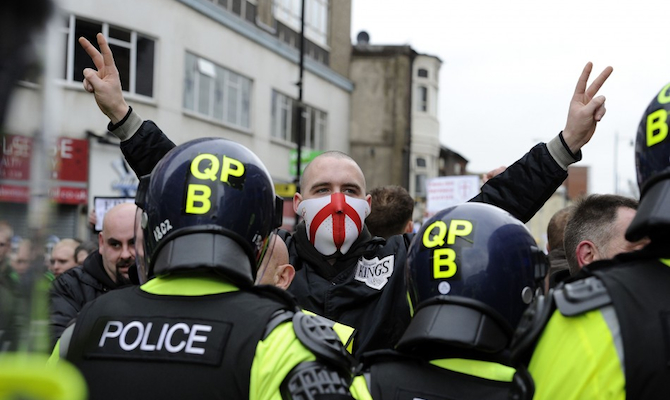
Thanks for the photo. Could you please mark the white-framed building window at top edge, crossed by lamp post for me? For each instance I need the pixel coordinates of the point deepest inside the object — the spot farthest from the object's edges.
(316, 18)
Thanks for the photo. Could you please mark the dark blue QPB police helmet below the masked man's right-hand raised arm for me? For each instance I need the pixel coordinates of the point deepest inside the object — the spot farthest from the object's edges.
(479, 257)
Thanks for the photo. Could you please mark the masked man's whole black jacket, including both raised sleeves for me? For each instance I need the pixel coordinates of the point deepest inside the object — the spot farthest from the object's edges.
(347, 291)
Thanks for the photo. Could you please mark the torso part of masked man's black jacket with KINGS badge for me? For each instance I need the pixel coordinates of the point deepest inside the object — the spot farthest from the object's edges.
(364, 289)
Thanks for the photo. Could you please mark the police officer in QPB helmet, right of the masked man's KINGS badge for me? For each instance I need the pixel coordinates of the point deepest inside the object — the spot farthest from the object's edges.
(472, 270)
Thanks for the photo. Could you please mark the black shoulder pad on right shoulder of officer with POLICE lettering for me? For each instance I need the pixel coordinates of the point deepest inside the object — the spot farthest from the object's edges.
(317, 334)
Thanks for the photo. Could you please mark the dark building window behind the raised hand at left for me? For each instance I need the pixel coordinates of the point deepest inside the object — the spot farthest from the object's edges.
(133, 53)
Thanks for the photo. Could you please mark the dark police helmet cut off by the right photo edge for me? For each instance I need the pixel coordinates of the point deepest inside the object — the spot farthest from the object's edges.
(652, 145)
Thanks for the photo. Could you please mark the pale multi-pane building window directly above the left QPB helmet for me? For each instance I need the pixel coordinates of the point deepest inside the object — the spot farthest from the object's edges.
(215, 92)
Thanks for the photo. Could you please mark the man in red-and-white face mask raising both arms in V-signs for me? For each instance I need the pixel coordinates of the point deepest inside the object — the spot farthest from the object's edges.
(349, 276)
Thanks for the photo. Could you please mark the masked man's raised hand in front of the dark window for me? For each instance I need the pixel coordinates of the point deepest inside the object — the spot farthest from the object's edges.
(104, 83)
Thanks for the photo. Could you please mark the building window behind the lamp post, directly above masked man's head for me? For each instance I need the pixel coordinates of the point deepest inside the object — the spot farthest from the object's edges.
(283, 122)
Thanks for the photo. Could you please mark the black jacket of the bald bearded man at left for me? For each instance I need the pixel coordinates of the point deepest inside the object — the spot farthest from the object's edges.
(74, 288)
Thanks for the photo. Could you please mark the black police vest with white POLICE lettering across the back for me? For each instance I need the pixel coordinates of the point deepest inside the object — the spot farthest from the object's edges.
(148, 340)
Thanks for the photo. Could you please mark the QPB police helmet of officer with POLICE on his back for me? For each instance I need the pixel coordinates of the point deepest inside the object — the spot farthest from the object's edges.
(209, 204)
